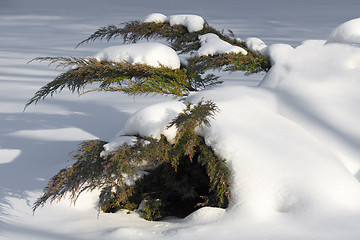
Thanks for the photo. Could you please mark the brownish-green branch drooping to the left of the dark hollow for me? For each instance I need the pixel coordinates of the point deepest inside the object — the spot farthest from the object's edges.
(91, 171)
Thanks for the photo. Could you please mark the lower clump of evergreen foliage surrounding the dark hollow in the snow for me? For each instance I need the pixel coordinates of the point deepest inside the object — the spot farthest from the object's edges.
(180, 177)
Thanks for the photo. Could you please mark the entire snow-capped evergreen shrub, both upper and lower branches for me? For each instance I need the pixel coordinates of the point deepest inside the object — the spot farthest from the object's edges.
(157, 176)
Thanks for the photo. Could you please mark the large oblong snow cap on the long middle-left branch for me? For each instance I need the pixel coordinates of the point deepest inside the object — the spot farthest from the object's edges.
(150, 53)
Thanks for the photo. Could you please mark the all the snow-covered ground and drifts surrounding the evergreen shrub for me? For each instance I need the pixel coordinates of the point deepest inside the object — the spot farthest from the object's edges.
(293, 142)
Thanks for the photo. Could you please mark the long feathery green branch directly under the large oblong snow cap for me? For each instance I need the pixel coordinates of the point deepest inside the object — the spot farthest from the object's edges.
(133, 79)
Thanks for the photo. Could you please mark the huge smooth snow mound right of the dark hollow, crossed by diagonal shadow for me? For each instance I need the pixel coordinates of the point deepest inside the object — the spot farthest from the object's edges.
(285, 140)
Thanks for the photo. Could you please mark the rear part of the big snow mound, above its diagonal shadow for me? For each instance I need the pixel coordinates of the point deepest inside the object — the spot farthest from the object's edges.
(326, 95)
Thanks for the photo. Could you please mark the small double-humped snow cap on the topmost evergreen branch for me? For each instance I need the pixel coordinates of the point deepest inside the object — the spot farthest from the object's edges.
(193, 23)
